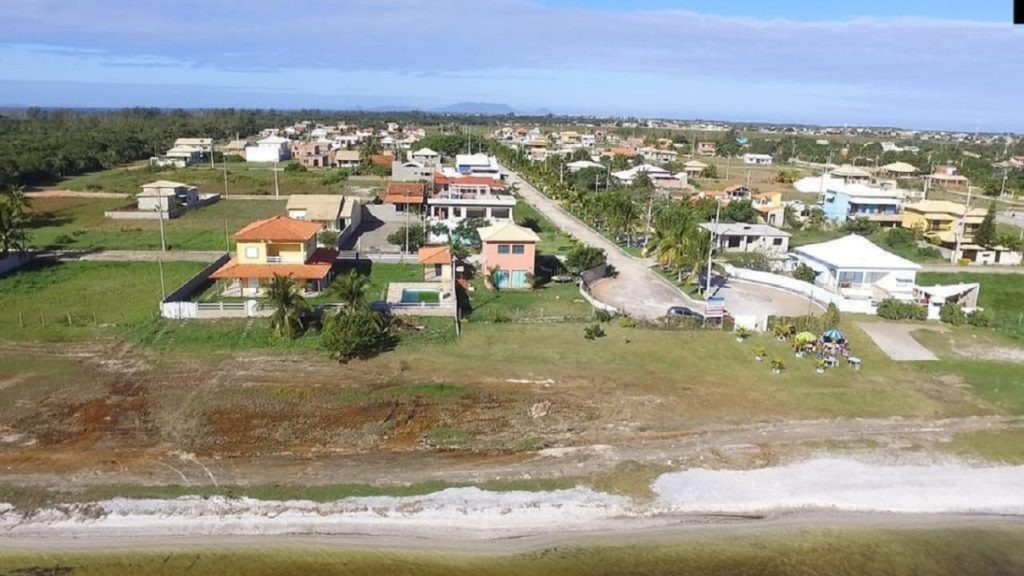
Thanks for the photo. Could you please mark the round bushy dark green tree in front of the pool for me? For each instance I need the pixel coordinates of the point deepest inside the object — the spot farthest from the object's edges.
(357, 333)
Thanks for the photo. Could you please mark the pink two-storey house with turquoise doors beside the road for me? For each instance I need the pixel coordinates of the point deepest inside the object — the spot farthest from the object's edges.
(509, 255)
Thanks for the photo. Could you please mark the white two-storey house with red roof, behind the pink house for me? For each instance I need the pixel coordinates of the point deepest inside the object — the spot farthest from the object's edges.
(470, 197)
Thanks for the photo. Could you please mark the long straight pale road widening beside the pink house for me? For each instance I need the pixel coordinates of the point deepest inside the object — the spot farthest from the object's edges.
(637, 291)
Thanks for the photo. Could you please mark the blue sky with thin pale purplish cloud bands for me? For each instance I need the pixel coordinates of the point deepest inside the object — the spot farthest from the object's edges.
(950, 65)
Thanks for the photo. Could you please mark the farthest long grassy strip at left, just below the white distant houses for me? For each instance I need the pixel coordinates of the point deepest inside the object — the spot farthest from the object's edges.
(242, 179)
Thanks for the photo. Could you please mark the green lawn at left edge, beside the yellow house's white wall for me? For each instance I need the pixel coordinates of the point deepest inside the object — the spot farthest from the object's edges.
(102, 299)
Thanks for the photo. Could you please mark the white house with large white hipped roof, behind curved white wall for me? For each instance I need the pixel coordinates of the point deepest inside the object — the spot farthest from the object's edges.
(856, 269)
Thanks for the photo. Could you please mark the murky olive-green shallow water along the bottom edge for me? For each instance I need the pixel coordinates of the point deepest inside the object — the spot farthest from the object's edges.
(983, 549)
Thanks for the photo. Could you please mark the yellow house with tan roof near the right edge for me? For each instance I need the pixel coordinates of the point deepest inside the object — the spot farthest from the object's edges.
(942, 222)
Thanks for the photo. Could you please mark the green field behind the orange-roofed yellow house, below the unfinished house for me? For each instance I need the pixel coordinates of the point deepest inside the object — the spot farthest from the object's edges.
(79, 224)
